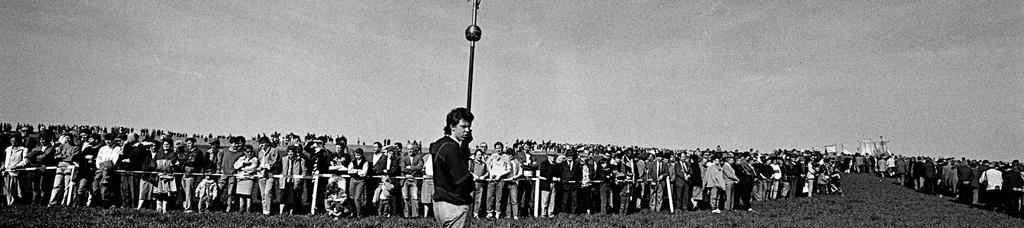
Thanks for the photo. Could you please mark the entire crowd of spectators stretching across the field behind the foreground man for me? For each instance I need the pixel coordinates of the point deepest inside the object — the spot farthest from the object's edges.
(115, 167)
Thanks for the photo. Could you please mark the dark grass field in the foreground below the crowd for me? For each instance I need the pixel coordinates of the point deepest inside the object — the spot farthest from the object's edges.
(870, 203)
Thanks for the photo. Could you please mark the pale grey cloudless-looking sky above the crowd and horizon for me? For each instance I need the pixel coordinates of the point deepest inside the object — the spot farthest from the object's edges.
(936, 78)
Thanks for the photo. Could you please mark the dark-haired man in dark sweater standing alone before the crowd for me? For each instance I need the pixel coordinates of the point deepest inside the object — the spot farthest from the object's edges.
(453, 183)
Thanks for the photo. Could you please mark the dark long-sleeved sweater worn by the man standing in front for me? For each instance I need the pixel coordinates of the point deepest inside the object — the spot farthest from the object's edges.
(453, 183)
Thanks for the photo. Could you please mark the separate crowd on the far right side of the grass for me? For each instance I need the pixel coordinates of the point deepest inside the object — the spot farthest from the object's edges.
(986, 185)
